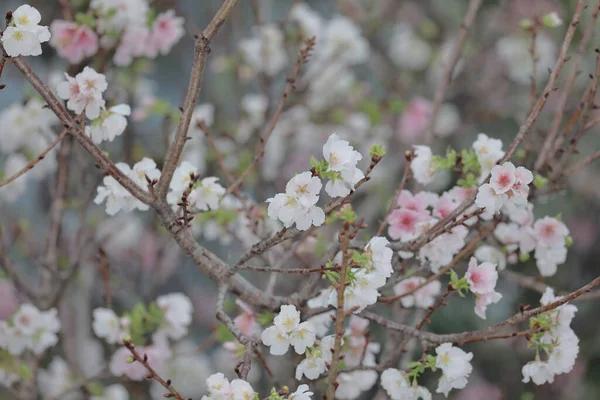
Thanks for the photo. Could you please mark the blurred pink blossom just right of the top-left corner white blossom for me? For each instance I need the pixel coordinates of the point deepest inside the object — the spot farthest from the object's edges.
(72, 41)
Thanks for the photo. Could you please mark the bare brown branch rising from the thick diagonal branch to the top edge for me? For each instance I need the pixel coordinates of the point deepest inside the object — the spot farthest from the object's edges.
(201, 51)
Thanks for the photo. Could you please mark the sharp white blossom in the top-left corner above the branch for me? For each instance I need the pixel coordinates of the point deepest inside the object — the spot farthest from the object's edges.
(25, 37)
